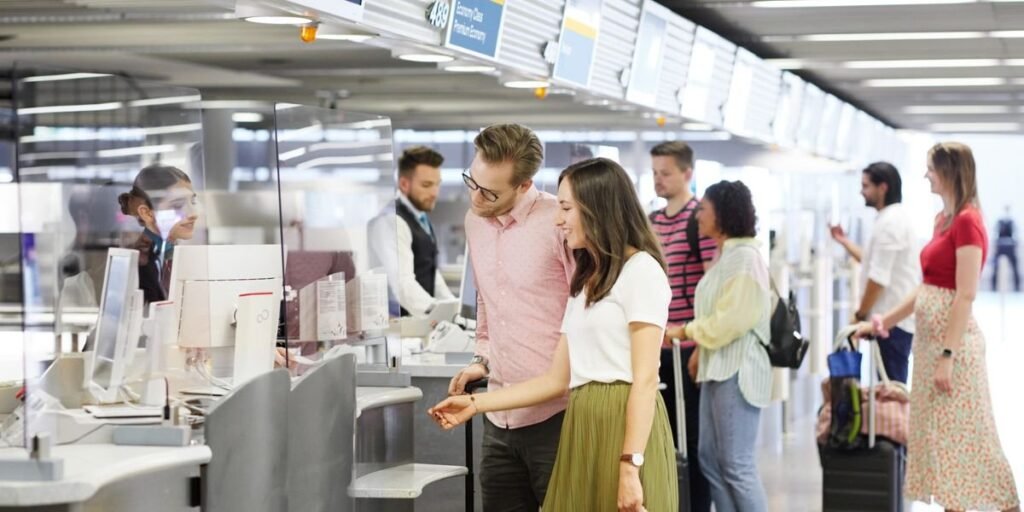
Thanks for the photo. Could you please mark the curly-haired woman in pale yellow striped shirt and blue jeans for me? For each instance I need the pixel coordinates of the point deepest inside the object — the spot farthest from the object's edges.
(731, 328)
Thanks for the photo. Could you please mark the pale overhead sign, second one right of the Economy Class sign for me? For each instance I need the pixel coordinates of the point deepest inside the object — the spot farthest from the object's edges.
(649, 55)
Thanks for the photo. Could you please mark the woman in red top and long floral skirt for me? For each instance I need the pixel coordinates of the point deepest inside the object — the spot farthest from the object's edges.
(955, 455)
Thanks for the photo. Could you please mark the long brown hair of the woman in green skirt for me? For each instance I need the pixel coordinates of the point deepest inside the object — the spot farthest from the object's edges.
(613, 221)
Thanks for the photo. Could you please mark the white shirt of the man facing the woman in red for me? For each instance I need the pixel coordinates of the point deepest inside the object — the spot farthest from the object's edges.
(892, 261)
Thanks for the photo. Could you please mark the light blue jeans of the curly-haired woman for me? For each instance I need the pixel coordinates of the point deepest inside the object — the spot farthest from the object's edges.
(729, 448)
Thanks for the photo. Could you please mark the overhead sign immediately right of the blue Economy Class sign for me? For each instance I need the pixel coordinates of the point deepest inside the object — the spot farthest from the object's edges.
(578, 42)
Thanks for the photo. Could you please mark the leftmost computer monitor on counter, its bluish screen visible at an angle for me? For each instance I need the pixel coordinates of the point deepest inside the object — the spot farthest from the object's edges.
(118, 327)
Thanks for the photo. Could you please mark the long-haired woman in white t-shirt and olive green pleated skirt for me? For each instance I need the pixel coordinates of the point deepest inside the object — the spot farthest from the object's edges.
(616, 451)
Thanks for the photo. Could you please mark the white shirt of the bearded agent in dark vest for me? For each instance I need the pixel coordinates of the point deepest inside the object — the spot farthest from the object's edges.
(392, 248)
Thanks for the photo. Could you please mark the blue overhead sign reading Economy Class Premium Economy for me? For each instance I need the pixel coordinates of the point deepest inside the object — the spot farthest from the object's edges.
(476, 27)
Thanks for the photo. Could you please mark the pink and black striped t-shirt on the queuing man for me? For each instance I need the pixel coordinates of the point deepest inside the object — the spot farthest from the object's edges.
(686, 270)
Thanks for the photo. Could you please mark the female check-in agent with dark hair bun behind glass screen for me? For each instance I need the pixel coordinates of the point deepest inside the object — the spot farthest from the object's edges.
(163, 201)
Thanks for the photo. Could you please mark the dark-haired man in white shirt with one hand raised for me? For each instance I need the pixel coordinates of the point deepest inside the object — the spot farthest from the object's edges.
(891, 263)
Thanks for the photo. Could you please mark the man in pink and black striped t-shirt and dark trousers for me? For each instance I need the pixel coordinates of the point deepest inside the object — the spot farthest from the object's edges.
(689, 257)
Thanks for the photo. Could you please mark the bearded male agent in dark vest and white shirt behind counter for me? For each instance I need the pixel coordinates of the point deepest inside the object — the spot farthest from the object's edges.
(408, 245)
